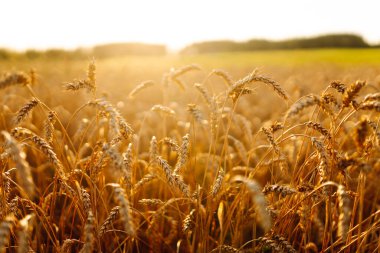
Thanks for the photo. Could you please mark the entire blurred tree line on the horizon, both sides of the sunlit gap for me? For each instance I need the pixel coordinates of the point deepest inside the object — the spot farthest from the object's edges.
(127, 49)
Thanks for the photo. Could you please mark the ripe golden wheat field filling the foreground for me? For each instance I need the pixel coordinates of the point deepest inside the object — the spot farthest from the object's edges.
(190, 158)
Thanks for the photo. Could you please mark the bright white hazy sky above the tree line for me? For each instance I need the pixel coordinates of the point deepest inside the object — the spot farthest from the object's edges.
(176, 23)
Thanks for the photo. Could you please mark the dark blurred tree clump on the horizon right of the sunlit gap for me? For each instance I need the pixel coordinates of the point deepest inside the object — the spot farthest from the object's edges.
(325, 41)
